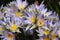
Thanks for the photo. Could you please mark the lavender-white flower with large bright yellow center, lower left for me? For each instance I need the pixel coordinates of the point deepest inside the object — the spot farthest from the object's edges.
(13, 27)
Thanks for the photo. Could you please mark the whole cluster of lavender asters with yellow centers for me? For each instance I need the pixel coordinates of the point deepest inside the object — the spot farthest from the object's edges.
(14, 16)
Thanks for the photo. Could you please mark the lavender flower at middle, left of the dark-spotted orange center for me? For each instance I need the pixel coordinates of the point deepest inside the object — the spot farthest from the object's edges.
(29, 19)
